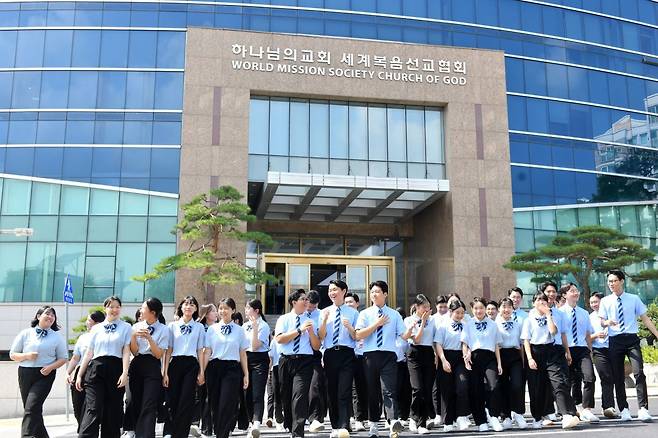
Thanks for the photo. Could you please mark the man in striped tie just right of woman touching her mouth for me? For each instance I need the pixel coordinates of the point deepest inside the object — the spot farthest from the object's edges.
(581, 369)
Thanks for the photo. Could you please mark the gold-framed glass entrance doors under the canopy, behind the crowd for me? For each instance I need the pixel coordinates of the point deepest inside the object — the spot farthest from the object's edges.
(308, 272)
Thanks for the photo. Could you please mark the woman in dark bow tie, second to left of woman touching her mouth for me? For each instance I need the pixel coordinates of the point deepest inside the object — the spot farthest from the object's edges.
(480, 340)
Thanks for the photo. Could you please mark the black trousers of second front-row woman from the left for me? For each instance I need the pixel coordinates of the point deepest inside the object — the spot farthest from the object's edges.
(103, 400)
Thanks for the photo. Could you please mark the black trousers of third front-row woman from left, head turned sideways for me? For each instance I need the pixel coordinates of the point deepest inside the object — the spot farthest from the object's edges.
(143, 399)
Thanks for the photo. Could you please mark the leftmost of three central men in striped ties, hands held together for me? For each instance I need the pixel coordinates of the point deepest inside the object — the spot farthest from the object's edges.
(297, 338)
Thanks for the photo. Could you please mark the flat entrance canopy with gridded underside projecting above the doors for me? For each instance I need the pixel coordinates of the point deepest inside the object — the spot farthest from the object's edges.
(343, 198)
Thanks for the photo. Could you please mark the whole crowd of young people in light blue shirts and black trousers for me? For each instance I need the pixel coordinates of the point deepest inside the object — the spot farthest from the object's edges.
(424, 368)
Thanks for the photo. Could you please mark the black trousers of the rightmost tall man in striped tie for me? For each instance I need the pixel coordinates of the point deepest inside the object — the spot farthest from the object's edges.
(628, 345)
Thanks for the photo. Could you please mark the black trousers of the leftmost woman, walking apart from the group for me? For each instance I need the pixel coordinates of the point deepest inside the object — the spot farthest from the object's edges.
(34, 388)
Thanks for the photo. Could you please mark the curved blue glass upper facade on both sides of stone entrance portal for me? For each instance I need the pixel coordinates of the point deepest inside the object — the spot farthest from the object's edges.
(91, 92)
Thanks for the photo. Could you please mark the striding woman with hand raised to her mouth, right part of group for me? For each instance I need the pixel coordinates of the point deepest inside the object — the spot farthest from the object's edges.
(546, 363)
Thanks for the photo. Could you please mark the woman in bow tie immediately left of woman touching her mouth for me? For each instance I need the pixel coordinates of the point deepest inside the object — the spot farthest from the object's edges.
(511, 384)
